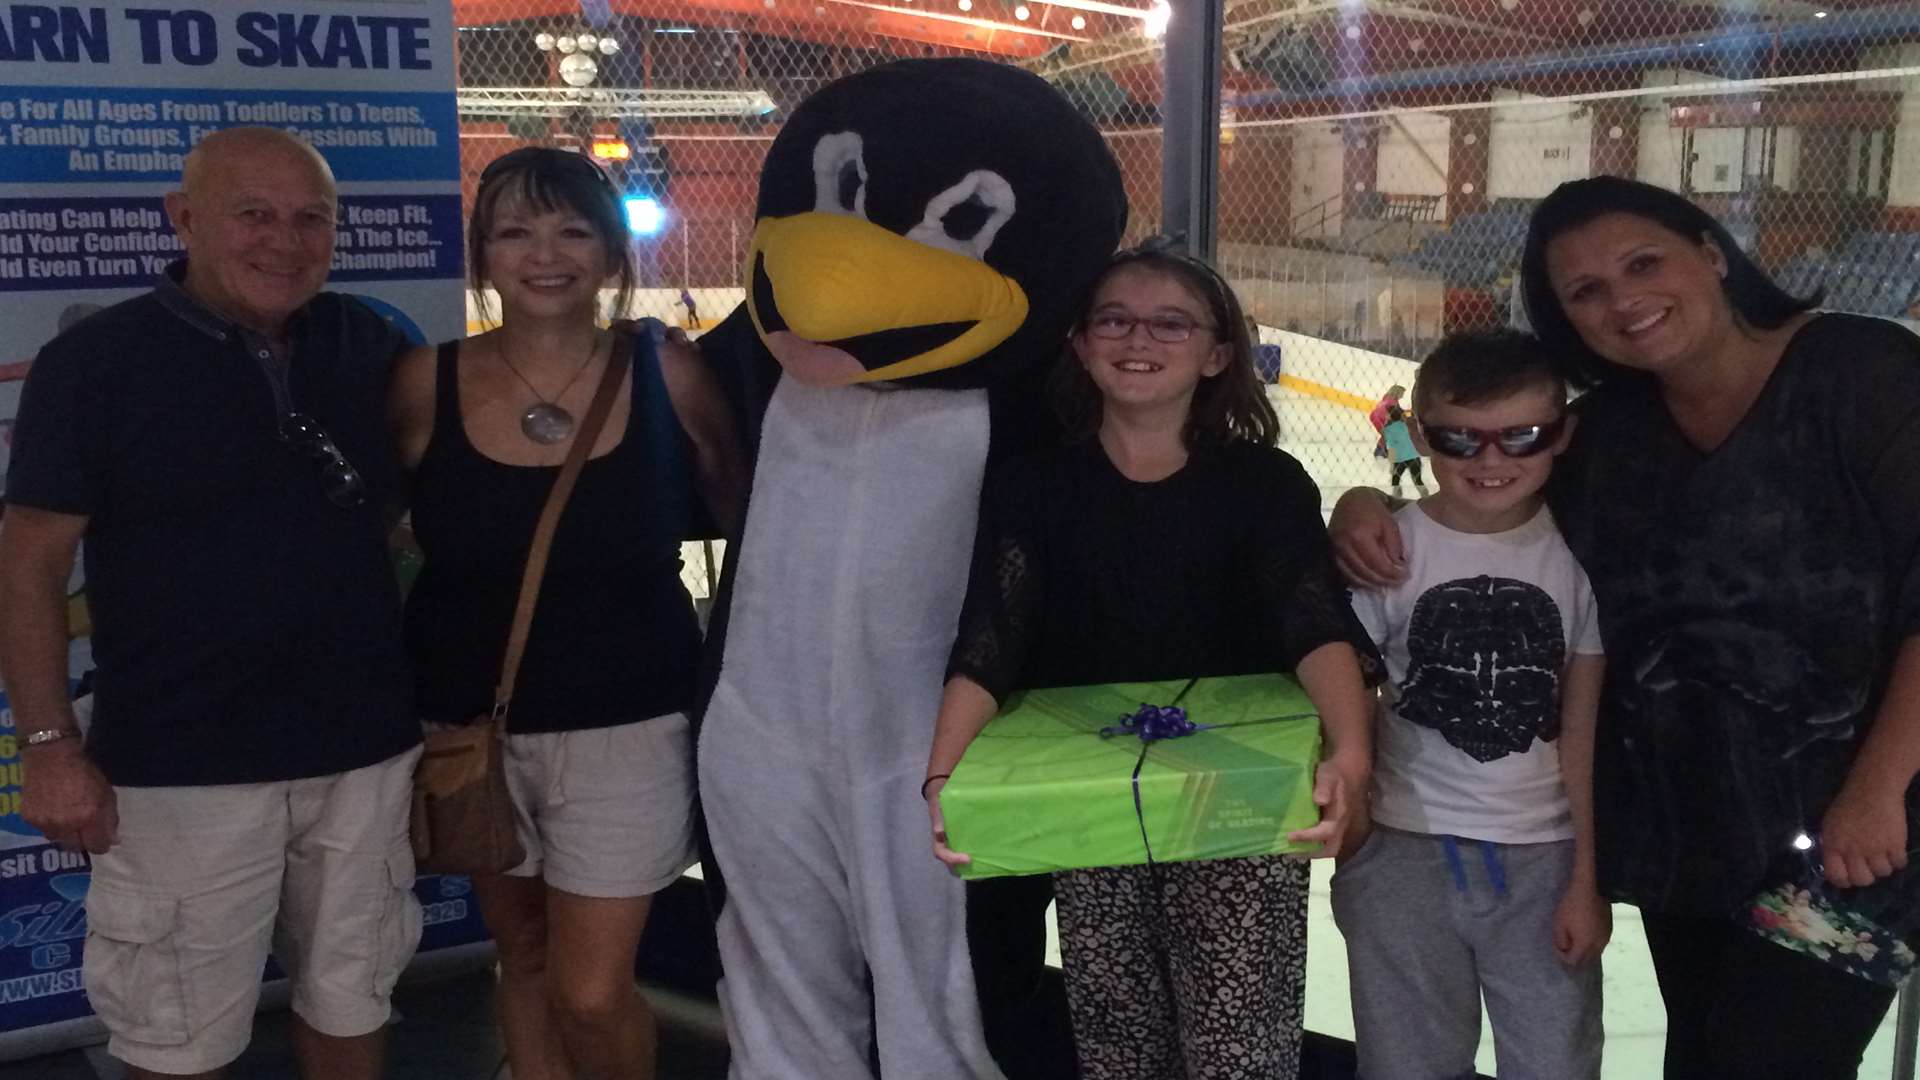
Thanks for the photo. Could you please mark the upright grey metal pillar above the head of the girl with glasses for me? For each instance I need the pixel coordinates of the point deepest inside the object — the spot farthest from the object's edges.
(1189, 112)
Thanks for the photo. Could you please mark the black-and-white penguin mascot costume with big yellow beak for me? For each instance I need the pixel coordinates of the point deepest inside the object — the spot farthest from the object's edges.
(924, 235)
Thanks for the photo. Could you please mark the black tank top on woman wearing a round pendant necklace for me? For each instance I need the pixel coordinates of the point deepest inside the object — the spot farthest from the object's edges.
(613, 635)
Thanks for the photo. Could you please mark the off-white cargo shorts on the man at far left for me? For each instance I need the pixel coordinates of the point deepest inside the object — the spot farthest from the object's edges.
(206, 881)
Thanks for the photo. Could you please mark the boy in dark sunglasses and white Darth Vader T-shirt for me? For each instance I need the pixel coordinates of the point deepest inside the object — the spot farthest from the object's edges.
(1479, 873)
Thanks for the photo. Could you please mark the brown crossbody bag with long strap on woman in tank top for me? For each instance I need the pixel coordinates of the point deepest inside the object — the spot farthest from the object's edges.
(462, 810)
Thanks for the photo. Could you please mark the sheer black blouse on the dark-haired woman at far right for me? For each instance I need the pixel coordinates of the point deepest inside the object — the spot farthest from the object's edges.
(1752, 601)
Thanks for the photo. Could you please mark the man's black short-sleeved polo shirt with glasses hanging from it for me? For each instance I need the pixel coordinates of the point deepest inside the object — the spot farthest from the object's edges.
(247, 629)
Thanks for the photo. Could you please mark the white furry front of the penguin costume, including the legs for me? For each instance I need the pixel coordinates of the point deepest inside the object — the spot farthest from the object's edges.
(846, 604)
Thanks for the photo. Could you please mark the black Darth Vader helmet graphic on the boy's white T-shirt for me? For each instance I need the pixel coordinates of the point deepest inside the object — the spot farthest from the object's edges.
(1485, 660)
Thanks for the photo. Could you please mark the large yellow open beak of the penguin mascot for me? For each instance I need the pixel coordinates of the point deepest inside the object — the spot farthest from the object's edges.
(842, 301)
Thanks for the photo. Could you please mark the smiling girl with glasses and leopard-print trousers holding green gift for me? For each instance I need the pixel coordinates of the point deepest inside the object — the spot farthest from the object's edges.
(1168, 541)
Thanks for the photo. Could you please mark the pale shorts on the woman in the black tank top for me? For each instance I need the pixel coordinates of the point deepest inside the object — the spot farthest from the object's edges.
(606, 812)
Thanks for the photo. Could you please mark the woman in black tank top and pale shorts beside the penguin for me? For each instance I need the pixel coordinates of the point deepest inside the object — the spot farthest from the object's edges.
(598, 747)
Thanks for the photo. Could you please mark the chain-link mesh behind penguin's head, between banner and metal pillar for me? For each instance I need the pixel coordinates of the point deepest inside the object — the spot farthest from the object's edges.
(696, 95)
